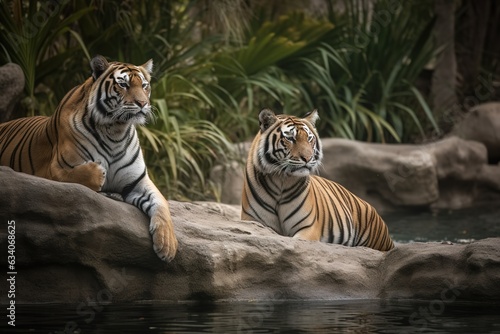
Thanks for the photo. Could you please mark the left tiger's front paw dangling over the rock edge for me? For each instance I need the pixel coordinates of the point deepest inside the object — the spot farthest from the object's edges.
(164, 240)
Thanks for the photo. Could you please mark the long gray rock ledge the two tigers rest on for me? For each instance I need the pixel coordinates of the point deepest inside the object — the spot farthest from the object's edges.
(73, 245)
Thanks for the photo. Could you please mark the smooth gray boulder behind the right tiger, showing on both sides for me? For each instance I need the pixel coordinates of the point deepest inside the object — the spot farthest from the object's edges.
(452, 173)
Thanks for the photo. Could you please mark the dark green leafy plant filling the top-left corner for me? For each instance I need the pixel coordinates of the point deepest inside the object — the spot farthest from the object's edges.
(30, 36)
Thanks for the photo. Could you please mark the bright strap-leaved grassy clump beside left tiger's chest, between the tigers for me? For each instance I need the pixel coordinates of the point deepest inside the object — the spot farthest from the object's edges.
(179, 154)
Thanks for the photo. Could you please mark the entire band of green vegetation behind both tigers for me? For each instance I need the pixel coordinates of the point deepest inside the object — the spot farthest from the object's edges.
(217, 63)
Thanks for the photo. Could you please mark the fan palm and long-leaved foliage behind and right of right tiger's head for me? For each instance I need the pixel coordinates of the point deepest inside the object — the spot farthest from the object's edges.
(359, 69)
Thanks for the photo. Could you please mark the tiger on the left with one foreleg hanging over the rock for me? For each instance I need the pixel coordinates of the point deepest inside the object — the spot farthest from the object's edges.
(91, 139)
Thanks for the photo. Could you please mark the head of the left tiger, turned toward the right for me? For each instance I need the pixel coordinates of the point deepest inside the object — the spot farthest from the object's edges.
(120, 92)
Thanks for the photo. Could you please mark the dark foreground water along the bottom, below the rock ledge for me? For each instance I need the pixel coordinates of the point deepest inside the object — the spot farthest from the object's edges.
(359, 316)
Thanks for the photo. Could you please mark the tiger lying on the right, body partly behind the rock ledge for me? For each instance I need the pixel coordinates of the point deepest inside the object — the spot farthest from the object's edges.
(279, 190)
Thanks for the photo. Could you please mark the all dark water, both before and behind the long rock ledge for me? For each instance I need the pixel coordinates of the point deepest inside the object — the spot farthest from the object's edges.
(355, 316)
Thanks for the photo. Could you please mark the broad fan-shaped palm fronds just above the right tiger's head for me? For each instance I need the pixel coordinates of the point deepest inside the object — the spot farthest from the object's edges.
(251, 73)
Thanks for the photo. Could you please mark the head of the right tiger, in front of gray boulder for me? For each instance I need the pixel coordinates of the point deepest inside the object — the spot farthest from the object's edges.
(288, 145)
